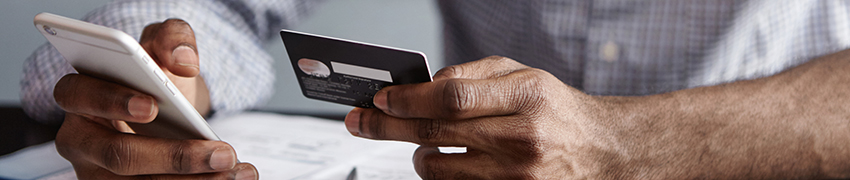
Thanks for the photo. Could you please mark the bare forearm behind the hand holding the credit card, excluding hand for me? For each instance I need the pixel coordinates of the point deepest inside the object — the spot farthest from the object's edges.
(793, 124)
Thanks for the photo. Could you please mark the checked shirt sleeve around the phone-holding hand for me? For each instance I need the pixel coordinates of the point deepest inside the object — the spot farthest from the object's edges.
(230, 37)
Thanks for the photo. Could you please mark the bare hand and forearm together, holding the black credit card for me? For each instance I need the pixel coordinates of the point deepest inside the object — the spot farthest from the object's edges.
(519, 122)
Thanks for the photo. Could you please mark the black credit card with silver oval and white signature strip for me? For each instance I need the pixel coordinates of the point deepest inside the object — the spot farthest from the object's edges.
(350, 72)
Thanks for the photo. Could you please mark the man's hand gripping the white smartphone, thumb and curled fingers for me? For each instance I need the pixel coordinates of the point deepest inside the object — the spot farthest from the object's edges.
(96, 140)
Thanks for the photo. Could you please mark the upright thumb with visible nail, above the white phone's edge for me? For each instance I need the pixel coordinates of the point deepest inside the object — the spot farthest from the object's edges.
(172, 45)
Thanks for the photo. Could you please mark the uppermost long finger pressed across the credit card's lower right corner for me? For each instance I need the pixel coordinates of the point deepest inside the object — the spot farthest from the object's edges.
(463, 98)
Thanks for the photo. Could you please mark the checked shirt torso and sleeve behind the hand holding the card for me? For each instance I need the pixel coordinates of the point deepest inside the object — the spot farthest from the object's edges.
(641, 47)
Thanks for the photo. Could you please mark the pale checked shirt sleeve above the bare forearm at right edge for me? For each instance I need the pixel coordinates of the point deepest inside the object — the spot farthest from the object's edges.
(770, 36)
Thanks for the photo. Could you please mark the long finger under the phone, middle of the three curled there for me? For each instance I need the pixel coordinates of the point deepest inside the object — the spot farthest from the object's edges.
(130, 154)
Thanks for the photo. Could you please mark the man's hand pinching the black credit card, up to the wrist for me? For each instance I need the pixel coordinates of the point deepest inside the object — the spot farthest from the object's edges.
(517, 122)
